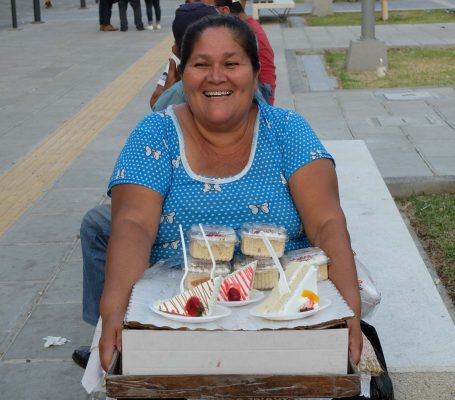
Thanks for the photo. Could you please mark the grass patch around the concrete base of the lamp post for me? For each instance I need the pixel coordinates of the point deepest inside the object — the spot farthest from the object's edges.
(408, 67)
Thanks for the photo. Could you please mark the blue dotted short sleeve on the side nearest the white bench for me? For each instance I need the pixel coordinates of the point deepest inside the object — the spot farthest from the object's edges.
(300, 145)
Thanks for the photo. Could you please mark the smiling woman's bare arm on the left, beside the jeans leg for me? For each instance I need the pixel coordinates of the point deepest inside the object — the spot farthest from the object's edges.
(136, 212)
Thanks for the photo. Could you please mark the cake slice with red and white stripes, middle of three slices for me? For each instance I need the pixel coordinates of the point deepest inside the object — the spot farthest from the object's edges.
(237, 286)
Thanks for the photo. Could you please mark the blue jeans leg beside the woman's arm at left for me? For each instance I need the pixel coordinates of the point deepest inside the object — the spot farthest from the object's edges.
(95, 233)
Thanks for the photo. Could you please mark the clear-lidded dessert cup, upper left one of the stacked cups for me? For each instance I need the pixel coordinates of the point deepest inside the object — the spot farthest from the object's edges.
(222, 240)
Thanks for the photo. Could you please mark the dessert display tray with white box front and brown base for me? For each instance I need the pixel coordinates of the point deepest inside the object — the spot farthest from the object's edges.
(233, 357)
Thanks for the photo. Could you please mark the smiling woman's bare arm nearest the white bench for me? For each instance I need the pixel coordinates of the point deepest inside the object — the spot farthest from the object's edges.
(314, 189)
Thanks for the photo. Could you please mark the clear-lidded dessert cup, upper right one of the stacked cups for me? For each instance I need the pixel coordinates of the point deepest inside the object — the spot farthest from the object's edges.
(252, 243)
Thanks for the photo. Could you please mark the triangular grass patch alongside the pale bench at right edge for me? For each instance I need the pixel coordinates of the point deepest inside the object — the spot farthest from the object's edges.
(433, 219)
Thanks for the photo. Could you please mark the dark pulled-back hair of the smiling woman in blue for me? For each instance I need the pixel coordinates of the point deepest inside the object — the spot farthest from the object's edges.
(241, 32)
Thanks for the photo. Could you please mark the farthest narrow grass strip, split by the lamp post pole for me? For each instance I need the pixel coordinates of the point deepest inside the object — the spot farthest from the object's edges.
(395, 17)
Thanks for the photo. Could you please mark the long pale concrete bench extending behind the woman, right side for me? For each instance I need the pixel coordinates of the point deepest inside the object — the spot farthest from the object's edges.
(415, 328)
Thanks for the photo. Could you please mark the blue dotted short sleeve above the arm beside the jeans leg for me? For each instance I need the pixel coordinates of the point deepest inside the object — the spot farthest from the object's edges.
(145, 159)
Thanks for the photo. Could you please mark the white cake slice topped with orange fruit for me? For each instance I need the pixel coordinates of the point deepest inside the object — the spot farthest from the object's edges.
(303, 294)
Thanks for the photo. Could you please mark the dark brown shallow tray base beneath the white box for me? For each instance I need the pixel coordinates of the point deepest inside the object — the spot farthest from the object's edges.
(229, 386)
